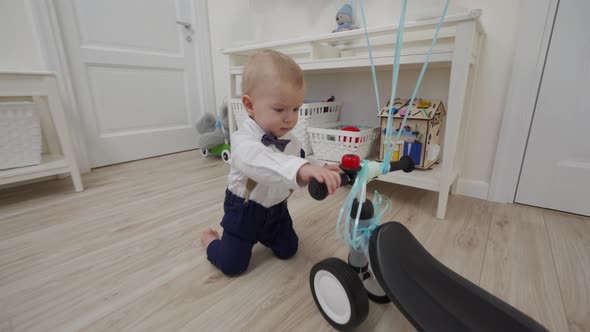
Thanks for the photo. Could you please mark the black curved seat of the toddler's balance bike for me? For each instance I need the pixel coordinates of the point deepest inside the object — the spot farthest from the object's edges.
(430, 295)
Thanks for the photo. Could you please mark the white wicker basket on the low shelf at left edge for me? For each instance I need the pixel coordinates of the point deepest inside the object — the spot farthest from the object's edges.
(20, 135)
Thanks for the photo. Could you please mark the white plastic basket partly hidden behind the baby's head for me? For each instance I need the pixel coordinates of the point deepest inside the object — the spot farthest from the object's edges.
(310, 115)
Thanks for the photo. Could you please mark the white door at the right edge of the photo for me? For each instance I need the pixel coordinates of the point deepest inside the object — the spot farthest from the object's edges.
(556, 169)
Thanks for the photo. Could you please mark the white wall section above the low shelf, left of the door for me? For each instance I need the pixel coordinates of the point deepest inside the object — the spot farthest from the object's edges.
(19, 44)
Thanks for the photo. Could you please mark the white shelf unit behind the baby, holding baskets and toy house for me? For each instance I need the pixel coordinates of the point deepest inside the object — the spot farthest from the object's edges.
(457, 47)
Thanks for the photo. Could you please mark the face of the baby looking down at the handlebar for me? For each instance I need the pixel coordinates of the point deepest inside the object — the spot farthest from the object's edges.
(275, 107)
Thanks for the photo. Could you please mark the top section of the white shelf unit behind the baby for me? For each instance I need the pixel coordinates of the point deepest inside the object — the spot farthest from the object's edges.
(347, 49)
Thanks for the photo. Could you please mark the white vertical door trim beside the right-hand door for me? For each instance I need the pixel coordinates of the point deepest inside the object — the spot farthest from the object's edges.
(532, 43)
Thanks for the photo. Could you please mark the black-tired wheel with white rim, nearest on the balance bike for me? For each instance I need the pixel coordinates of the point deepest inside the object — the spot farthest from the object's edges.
(358, 301)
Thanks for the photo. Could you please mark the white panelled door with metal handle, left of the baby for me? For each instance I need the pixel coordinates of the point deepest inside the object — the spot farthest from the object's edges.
(133, 68)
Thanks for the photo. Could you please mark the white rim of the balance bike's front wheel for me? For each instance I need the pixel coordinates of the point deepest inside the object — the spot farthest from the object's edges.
(332, 297)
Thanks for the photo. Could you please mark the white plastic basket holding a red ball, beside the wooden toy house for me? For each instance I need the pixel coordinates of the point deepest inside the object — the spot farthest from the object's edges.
(330, 142)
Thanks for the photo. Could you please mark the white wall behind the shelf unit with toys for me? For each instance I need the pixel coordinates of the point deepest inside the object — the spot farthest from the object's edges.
(267, 20)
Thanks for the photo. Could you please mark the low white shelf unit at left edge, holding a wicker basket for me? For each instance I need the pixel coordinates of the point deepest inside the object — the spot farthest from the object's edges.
(41, 87)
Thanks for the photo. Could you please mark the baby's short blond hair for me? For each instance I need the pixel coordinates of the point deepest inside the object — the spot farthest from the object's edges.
(267, 64)
